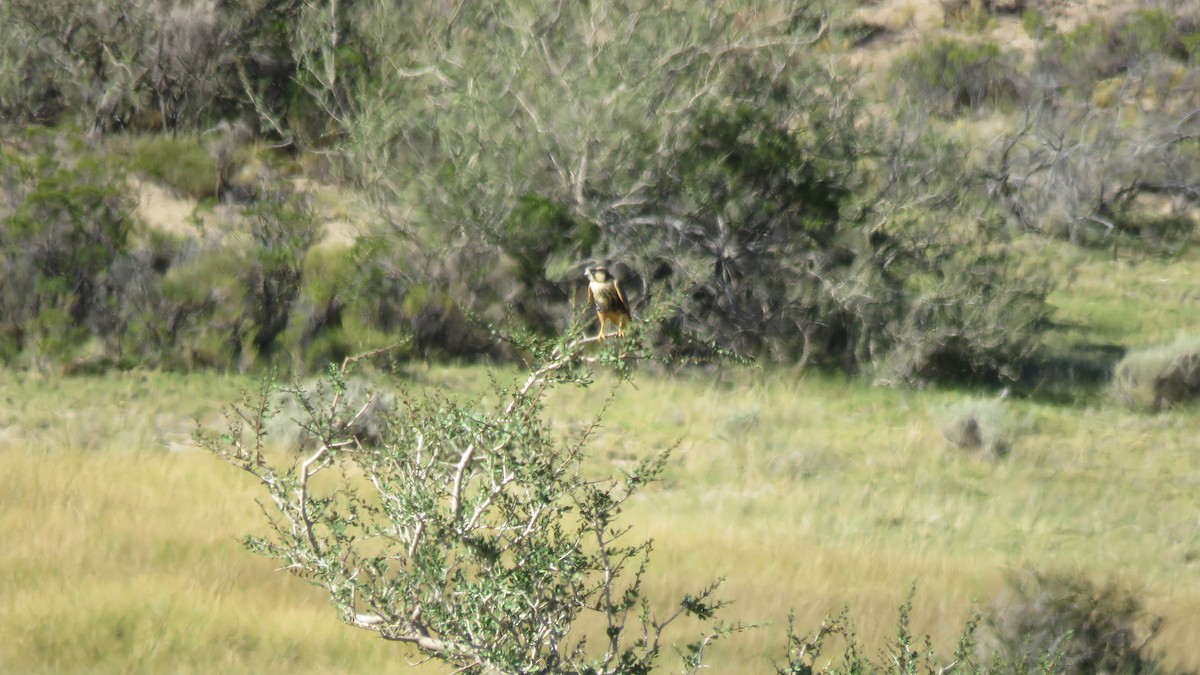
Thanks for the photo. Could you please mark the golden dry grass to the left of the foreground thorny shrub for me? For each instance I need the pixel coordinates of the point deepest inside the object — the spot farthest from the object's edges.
(122, 555)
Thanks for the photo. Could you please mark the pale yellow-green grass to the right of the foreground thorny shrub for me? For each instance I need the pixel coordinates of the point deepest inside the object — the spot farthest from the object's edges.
(835, 495)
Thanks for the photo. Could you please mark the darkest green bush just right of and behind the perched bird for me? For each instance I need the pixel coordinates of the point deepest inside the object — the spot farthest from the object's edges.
(752, 234)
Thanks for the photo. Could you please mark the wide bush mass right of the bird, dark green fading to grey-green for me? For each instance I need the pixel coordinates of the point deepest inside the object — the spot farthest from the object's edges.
(779, 247)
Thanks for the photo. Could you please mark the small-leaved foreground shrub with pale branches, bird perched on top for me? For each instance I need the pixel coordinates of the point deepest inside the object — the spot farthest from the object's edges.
(472, 531)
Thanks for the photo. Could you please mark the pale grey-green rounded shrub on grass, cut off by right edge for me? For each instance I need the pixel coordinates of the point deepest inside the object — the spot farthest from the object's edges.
(1160, 378)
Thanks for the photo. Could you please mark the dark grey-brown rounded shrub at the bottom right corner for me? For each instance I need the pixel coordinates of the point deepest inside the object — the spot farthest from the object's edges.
(1069, 624)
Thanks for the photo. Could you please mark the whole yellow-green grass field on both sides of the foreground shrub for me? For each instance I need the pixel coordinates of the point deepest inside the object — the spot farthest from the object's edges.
(808, 493)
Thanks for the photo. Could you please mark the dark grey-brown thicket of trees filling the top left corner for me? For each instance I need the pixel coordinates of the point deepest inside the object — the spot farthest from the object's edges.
(175, 67)
